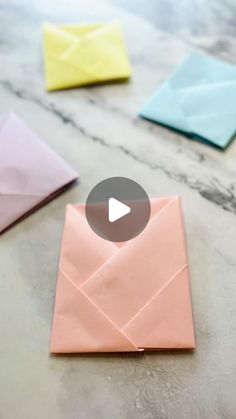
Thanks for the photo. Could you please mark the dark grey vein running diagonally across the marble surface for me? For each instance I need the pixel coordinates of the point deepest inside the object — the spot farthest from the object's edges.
(223, 196)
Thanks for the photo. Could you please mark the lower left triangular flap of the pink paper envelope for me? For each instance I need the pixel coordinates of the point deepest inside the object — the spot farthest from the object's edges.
(78, 325)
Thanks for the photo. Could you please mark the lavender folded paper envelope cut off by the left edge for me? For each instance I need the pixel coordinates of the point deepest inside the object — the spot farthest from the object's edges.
(30, 172)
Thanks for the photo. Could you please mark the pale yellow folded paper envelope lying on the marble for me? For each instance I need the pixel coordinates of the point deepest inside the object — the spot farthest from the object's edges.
(77, 55)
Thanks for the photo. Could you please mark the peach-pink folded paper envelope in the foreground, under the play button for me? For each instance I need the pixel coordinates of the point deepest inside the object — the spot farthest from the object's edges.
(132, 296)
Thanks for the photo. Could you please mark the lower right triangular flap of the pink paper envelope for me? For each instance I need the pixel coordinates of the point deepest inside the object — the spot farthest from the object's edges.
(166, 321)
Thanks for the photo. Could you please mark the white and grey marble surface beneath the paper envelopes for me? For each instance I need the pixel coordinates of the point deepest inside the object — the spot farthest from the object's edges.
(96, 129)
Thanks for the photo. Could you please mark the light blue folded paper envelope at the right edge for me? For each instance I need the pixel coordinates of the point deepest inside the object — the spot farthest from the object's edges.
(198, 99)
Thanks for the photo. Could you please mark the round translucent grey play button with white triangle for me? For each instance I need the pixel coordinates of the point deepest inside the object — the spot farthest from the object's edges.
(118, 209)
